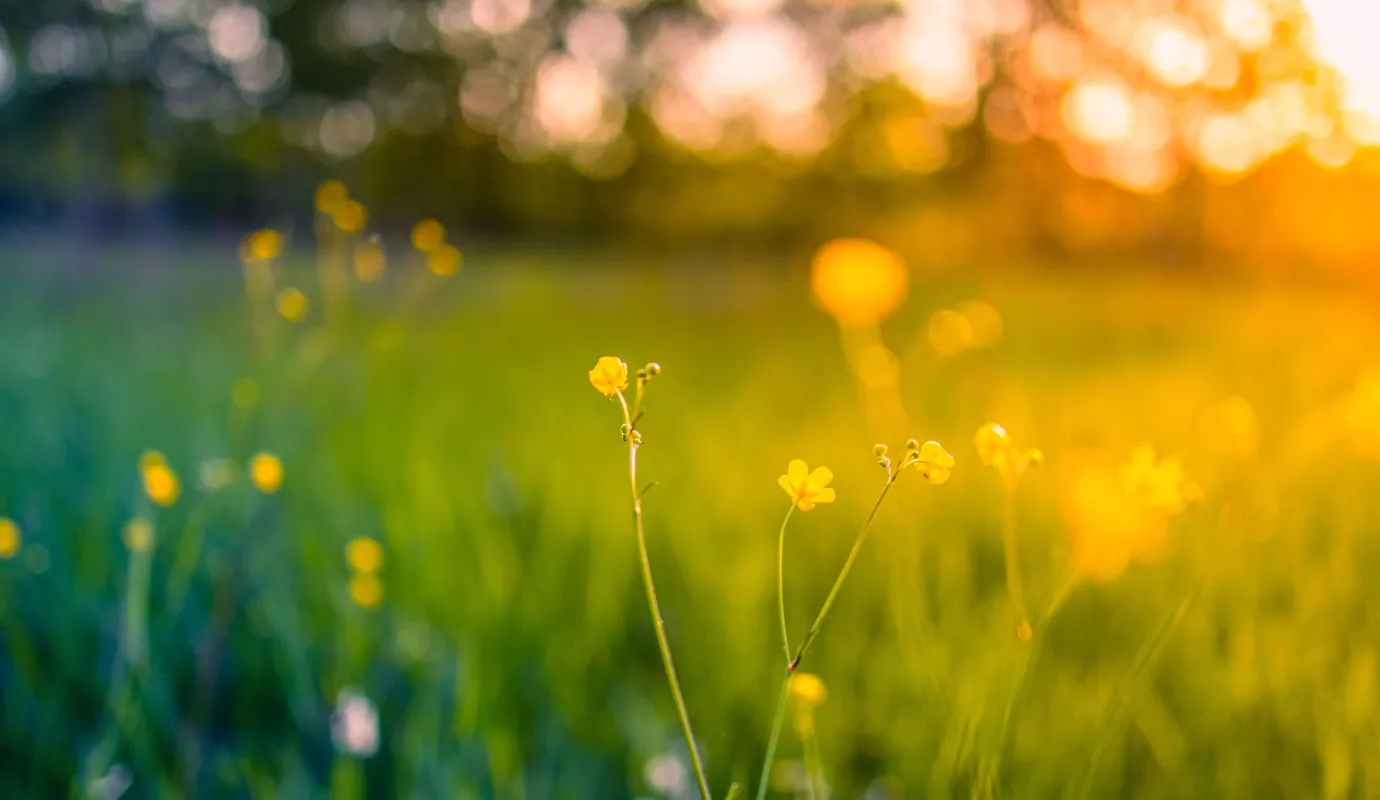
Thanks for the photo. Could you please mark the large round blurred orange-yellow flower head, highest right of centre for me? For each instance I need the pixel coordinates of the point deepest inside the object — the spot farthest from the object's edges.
(858, 282)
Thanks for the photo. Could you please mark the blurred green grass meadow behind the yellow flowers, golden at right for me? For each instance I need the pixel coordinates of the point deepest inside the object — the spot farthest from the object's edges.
(514, 656)
